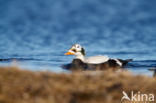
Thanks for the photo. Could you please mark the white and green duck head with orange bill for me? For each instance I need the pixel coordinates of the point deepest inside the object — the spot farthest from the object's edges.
(76, 50)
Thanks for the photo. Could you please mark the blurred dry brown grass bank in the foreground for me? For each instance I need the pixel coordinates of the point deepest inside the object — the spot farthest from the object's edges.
(23, 86)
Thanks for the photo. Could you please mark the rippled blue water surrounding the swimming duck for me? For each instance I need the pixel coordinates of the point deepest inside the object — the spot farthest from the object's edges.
(37, 33)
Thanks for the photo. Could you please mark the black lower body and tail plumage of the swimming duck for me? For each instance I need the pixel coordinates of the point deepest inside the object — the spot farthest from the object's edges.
(77, 64)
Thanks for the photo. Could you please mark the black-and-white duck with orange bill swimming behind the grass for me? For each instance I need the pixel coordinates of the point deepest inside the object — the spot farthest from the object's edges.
(100, 62)
